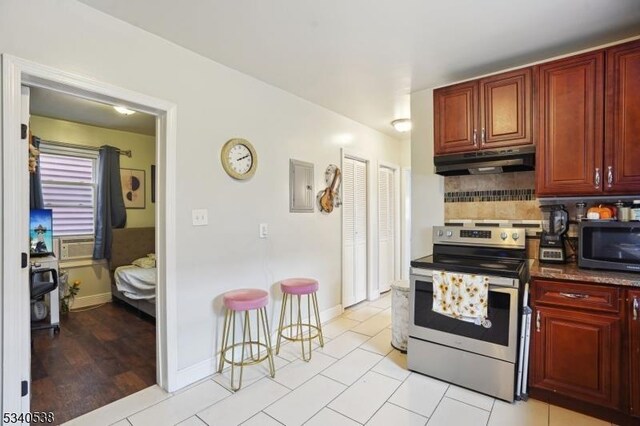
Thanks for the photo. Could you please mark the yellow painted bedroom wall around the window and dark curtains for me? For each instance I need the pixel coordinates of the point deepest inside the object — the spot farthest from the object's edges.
(95, 277)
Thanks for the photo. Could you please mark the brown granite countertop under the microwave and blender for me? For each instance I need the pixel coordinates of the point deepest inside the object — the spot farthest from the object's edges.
(570, 271)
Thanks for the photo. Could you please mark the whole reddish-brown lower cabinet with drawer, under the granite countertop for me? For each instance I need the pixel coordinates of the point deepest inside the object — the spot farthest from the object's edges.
(585, 348)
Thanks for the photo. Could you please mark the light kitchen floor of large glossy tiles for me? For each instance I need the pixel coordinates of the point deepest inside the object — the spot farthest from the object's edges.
(357, 378)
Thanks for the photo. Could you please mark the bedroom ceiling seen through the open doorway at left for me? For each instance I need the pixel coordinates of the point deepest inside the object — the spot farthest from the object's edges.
(48, 103)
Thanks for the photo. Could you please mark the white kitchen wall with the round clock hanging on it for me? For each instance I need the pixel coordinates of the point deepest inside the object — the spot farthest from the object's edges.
(214, 104)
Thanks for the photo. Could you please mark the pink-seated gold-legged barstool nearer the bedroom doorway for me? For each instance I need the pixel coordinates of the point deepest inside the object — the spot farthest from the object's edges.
(243, 302)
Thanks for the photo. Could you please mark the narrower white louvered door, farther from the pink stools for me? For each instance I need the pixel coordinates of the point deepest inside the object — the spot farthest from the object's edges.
(387, 217)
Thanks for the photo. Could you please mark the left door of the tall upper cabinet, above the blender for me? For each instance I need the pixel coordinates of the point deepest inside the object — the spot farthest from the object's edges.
(569, 150)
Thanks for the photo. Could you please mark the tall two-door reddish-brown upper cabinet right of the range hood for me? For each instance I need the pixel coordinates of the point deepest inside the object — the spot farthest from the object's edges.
(589, 124)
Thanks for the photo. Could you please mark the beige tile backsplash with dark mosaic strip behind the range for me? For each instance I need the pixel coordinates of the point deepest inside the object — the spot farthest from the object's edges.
(499, 196)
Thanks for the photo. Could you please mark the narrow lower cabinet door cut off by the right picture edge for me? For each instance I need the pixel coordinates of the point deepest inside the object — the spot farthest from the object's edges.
(633, 304)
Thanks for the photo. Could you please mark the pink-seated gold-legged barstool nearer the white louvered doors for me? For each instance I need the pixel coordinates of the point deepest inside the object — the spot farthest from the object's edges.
(294, 331)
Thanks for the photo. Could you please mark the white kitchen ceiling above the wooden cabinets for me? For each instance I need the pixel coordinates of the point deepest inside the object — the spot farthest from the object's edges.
(362, 58)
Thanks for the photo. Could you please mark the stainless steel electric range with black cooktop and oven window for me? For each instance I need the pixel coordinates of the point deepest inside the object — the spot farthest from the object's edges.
(491, 357)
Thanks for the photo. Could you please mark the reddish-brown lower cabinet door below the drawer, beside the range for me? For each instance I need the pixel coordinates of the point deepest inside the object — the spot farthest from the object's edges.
(577, 354)
